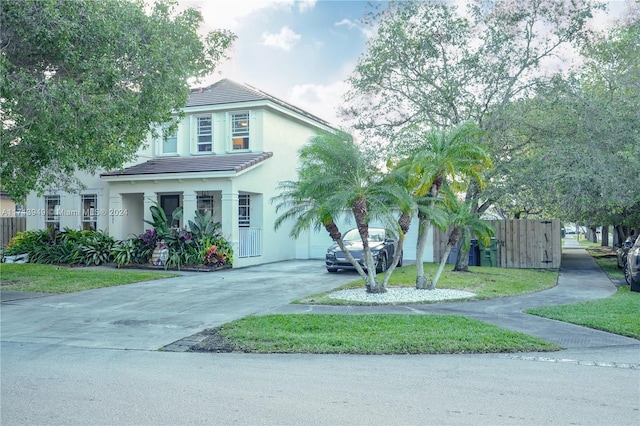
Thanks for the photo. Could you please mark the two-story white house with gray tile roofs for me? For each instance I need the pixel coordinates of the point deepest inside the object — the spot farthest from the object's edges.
(233, 146)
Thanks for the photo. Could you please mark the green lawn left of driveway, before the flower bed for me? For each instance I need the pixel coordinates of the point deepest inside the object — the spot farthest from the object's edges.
(32, 277)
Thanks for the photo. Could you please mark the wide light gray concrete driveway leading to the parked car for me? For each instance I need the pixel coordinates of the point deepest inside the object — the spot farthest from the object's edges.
(153, 314)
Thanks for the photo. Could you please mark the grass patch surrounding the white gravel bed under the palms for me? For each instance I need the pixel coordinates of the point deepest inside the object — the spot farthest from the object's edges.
(485, 282)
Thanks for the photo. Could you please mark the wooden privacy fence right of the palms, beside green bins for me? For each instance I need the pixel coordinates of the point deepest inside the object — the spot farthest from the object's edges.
(525, 244)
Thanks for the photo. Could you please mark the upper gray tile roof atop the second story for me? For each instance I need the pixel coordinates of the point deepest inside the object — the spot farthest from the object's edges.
(227, 91)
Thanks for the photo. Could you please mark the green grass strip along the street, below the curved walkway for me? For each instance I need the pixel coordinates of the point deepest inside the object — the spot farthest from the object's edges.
(376, 334)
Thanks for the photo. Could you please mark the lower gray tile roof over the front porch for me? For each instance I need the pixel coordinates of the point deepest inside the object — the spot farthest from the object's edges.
(193, 164)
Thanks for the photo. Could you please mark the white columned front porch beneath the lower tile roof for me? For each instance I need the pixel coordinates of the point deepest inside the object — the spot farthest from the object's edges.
(239, 210)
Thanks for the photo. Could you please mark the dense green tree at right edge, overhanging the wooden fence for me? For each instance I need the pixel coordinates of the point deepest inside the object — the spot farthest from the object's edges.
(580, 154)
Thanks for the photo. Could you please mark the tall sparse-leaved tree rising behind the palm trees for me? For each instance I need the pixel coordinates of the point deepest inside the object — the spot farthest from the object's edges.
(432, 65)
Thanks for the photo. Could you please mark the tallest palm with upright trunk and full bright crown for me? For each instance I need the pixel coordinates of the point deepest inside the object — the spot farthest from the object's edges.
(440, 156)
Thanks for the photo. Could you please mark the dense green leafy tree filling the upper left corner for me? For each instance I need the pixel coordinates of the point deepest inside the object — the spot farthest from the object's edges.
(83, 82)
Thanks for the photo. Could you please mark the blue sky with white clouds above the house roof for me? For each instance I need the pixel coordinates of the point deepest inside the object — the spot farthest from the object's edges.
(299, 51)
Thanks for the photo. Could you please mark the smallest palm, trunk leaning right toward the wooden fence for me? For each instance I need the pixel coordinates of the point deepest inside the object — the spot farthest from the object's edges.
(465, 222)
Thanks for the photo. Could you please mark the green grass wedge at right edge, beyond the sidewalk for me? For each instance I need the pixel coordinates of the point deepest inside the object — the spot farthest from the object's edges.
(617, 313)
